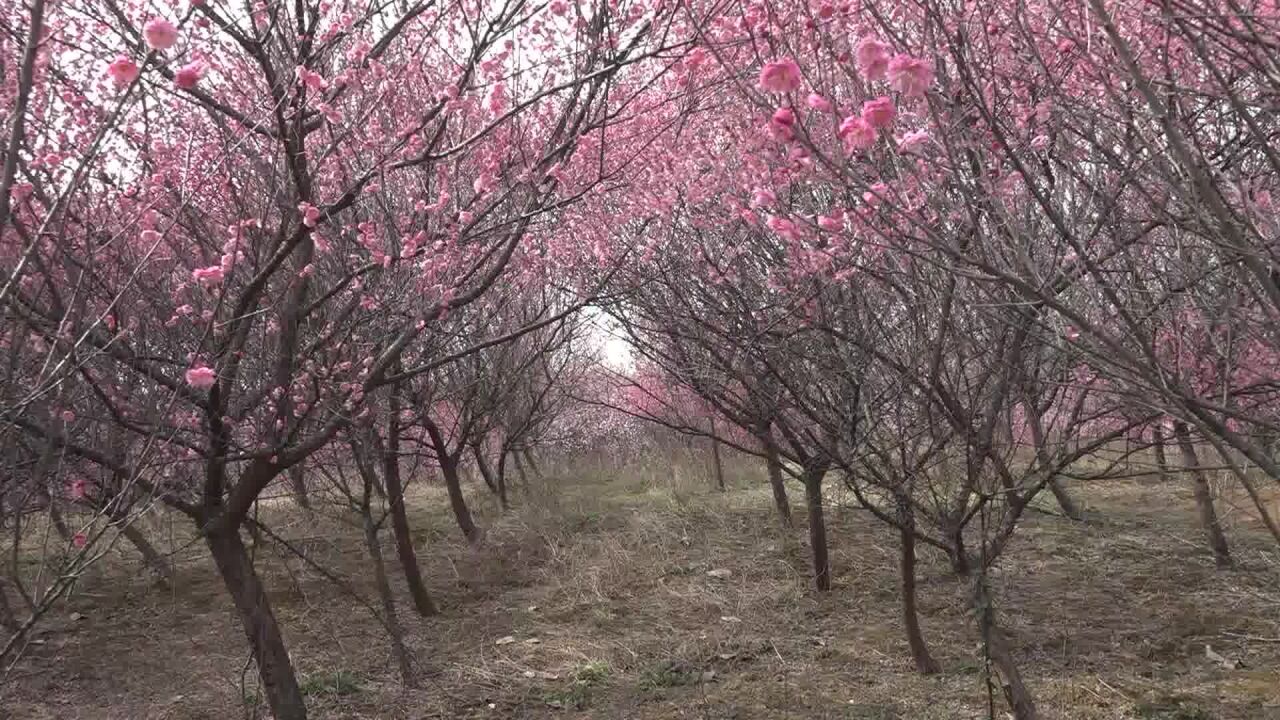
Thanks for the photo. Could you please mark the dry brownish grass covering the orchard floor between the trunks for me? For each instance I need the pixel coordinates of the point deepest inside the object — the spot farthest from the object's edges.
(602, 581)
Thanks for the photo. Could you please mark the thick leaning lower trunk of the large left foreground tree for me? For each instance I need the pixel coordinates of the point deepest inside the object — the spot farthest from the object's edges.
(275, 668)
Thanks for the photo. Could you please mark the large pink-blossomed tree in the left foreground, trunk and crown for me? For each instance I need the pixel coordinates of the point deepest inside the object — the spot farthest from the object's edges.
(204, 211)
